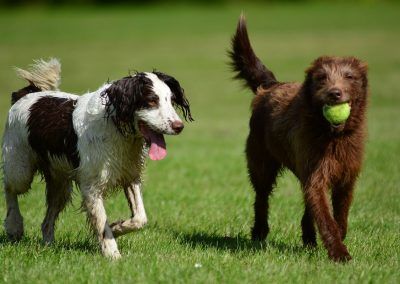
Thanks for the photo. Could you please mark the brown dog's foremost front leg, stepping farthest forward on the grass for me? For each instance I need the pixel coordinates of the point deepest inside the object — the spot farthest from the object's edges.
(315, 190)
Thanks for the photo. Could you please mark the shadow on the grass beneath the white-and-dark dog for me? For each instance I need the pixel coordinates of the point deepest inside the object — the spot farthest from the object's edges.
(84, 245)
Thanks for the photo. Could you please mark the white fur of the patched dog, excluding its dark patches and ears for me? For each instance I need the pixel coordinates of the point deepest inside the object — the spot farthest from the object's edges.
(107, 158)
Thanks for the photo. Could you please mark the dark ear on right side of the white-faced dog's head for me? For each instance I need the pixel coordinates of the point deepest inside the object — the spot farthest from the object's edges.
(179, 99)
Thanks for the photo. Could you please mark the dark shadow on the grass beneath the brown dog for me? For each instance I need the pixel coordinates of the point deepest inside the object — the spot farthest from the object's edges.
(237, 243)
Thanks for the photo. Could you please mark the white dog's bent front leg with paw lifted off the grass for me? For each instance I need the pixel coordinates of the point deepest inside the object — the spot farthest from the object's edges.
(139, 219)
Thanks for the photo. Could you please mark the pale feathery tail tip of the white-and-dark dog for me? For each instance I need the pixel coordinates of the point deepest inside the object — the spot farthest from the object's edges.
(45, 75)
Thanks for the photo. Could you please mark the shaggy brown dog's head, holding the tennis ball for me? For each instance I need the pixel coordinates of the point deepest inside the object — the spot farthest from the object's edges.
(336, 80)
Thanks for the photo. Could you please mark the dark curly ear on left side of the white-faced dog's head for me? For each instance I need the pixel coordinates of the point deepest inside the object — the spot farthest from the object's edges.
(123, 98)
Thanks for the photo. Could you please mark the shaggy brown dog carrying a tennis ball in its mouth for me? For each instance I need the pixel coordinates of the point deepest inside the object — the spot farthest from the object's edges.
(288, 130)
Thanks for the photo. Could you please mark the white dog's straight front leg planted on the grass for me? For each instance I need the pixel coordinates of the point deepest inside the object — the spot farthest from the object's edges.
(93, 203)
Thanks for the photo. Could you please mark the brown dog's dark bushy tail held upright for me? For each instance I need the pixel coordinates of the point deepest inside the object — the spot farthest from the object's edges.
(247, 65)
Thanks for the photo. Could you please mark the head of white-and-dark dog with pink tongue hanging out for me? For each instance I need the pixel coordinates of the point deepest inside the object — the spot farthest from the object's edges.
(145, 103)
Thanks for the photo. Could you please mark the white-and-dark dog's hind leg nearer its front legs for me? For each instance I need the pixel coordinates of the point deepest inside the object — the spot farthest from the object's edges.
(58, 194)
